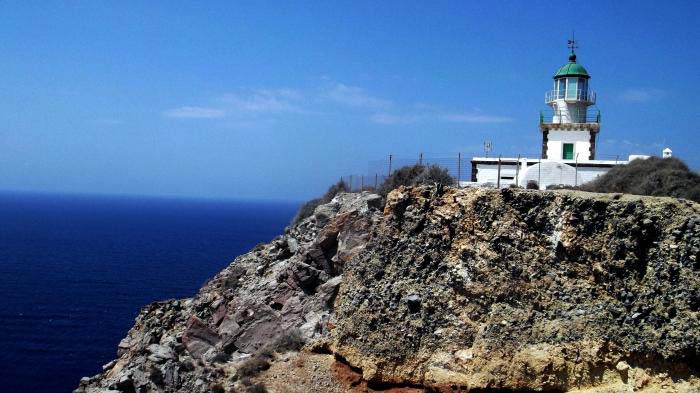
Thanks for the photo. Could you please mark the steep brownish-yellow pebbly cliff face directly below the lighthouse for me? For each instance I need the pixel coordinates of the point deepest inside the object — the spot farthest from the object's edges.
(523, 290)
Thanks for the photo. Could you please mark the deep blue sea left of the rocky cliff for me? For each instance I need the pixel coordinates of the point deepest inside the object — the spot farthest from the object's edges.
(75, 270)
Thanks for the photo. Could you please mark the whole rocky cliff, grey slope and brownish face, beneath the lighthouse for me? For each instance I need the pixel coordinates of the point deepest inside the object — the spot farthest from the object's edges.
(445, 290)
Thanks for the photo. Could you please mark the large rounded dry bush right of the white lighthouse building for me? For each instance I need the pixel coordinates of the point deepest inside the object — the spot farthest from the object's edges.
(652, 176)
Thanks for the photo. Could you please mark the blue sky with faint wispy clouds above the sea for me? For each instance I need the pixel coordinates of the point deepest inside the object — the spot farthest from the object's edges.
(277, 99)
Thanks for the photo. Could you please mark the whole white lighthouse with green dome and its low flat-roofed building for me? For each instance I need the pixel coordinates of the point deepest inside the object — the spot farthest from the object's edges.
(569, 139)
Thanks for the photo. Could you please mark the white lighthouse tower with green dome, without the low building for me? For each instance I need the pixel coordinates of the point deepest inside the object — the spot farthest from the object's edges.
(569, 129)
